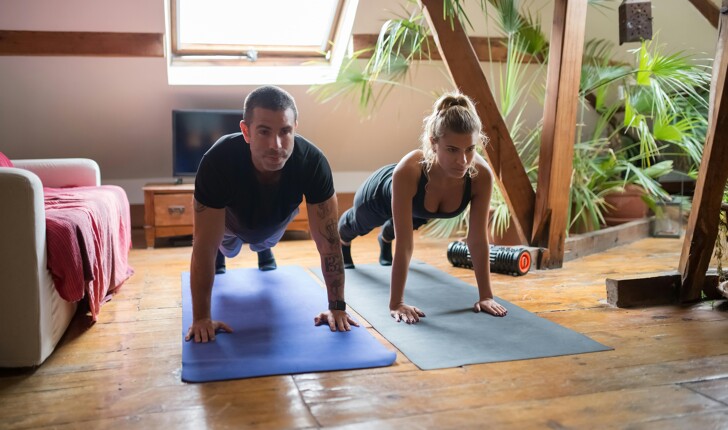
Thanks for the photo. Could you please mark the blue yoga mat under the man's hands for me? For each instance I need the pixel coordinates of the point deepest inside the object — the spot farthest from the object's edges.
(272, 314)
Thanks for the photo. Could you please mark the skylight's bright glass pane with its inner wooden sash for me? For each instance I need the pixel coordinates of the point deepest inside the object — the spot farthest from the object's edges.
(255, 30)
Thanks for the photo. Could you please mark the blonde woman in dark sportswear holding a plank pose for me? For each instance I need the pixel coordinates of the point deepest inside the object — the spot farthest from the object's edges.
(436, 181)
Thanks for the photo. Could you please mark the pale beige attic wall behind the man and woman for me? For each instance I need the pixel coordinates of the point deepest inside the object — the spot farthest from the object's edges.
(118, 110)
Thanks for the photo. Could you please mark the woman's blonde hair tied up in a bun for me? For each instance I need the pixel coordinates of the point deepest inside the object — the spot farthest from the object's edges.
(453, 112)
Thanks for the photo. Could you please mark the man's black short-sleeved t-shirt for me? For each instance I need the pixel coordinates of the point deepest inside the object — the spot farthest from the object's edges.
(255, 211)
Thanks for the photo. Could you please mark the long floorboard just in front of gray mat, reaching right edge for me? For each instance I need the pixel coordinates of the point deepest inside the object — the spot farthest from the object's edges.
(353, 400)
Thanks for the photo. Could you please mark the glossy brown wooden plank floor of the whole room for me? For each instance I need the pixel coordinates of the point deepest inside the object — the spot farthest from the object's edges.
(668, 369)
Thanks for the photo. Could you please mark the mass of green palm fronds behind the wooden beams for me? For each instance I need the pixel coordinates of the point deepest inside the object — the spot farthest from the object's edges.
(662, 104)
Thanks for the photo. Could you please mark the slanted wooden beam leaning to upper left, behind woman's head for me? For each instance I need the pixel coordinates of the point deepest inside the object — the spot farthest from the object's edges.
(465, 70)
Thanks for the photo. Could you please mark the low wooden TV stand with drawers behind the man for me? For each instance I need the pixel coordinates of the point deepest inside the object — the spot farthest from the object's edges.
(168, 212)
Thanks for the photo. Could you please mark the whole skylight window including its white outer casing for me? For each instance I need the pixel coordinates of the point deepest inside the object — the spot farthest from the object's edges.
(256, 42)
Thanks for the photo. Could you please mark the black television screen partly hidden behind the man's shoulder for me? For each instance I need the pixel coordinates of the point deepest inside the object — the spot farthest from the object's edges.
(195, 131)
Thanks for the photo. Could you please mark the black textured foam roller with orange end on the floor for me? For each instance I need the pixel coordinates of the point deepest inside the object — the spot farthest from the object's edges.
(508, 260)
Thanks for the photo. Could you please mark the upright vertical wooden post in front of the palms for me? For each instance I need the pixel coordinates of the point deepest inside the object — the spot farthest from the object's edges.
(559, 129)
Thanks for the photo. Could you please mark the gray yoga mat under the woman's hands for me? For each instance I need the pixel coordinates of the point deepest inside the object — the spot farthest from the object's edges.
(452, 334)
